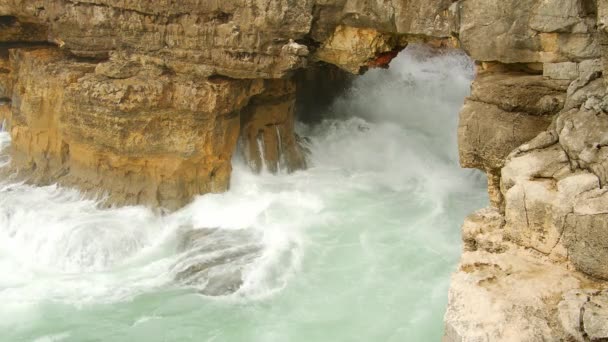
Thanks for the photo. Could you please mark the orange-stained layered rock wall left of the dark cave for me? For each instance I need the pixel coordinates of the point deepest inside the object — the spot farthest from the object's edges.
(151, 138)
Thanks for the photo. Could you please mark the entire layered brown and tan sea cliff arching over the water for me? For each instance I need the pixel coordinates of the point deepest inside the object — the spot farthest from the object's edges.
(147, 101)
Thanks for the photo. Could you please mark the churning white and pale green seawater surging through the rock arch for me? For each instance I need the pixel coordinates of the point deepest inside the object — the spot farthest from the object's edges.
(359, 247)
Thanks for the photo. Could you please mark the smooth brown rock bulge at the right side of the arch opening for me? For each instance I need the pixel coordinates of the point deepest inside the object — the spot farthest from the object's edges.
(506, 109)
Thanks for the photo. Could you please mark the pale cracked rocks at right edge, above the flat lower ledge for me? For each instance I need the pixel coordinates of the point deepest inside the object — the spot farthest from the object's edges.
(558, 180)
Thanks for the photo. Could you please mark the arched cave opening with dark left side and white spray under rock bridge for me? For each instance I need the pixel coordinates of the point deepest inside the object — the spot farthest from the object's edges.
(421, 91)
